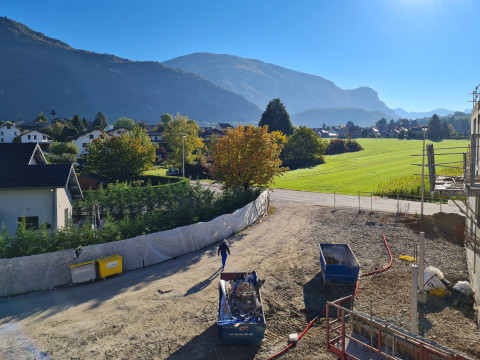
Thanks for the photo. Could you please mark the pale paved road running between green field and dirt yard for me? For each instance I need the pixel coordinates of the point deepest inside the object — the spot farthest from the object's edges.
(366, 203)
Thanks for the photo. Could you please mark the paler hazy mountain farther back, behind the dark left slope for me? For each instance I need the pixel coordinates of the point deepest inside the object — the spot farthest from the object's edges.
(260, 82)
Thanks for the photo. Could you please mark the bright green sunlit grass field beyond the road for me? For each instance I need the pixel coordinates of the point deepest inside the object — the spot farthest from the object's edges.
(380, 161)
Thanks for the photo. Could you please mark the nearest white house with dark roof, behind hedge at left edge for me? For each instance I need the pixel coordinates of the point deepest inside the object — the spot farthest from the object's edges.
(34, 189)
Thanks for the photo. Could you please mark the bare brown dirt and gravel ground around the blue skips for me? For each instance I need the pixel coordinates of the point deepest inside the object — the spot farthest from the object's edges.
(169, 311)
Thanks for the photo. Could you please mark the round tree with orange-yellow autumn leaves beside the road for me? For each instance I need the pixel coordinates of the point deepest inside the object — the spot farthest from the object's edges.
(248, 156)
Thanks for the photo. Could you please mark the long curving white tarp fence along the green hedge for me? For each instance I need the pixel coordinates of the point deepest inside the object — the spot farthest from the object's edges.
(24, 274)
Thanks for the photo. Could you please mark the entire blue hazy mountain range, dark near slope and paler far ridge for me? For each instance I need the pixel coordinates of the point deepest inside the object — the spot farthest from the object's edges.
(39, 72)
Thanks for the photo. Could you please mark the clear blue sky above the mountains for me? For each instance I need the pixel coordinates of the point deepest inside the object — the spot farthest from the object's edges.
(417, 54)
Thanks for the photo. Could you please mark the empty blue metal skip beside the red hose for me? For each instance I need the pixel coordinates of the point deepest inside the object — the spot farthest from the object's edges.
(339, 264)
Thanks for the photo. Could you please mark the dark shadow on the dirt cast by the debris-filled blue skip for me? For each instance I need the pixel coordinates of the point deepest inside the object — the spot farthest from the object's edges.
(207, 346)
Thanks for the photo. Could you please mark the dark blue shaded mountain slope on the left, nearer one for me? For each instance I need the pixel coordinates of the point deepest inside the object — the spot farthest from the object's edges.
(39, 72)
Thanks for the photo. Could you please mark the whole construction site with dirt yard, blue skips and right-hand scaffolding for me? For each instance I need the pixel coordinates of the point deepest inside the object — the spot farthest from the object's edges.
(333, 283)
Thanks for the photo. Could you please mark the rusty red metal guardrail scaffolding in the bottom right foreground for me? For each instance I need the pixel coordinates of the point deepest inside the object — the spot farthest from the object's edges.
(353, 335)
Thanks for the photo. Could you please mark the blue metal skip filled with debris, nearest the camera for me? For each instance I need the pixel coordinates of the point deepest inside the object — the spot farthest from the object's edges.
(236, 324)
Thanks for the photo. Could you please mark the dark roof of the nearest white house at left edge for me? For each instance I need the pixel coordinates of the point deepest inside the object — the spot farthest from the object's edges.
(19, 172)
